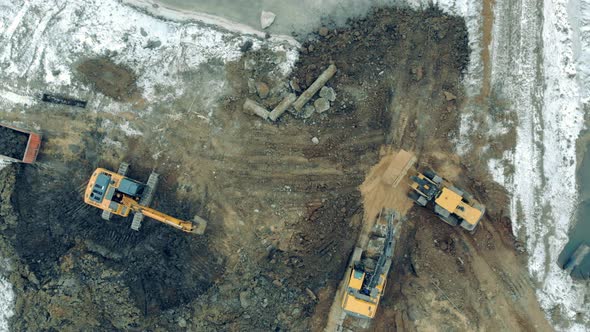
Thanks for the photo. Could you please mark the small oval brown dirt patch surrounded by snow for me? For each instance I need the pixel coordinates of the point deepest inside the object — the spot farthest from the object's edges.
(111, 79)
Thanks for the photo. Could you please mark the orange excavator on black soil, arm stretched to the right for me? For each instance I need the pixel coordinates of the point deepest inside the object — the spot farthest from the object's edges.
(114, 193)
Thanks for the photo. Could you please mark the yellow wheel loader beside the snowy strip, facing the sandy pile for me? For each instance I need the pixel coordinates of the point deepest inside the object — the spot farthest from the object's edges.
(449, 203)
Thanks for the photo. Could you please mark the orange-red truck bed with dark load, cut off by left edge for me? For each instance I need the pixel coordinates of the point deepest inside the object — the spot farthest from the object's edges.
(19, 145)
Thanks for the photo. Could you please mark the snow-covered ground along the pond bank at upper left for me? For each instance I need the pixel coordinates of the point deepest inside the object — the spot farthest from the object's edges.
(42, 40)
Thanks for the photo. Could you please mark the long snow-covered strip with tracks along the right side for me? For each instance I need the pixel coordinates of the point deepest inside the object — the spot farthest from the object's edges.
(540, 60)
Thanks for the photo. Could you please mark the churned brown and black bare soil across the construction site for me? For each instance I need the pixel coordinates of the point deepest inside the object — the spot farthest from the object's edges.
(283, 212)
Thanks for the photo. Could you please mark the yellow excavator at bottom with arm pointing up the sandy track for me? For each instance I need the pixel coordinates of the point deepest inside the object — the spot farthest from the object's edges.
(368, 269)
